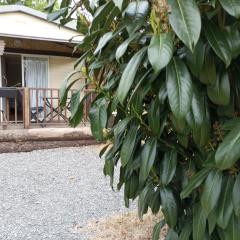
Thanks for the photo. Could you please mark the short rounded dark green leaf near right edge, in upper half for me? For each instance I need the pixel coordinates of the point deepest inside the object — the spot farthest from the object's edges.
(219, 93)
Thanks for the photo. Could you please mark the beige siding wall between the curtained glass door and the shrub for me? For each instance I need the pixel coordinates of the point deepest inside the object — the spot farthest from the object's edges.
(59, 68)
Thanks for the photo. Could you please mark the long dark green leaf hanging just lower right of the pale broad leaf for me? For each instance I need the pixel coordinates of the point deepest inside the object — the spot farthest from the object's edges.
(179, 88)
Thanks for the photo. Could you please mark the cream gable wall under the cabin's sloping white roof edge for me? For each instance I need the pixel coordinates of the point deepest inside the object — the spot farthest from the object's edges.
(26, 26)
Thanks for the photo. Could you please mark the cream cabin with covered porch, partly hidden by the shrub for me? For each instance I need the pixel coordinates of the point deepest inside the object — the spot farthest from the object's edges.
(35, 57)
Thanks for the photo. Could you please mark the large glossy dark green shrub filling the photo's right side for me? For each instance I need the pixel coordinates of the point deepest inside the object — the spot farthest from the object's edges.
(166, 77)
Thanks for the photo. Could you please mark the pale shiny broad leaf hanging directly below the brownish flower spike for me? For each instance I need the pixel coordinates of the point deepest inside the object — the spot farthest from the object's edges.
(160, 51)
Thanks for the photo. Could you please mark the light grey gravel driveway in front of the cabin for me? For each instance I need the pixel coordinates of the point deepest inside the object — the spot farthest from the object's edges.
(51, 194)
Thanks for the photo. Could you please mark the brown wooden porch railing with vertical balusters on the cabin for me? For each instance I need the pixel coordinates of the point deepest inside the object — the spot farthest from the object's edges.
(36, 107)
